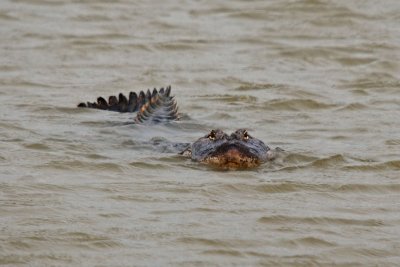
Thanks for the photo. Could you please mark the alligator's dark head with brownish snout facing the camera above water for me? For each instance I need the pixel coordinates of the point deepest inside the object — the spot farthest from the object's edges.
(236, 151)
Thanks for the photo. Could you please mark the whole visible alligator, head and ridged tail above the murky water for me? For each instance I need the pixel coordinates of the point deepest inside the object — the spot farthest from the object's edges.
(238, 150)
